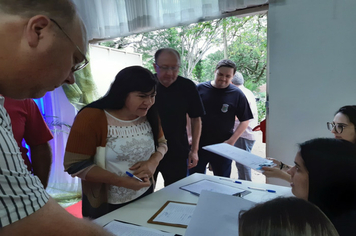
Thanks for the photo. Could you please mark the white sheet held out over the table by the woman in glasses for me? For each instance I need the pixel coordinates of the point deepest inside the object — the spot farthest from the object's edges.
(239, 155)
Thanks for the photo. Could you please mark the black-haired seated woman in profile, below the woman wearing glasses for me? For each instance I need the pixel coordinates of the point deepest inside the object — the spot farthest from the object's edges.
(324, 174)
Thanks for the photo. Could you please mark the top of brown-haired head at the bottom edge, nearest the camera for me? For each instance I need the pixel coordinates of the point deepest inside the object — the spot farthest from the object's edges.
(284, 217)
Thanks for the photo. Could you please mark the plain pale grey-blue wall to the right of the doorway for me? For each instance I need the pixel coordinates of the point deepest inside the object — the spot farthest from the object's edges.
(312, 70)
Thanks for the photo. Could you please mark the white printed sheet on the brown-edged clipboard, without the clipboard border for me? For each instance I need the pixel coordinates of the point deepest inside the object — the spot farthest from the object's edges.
(176, 213)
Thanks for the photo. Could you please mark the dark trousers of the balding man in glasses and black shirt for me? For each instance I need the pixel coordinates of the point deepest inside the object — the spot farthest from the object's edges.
(173, 167)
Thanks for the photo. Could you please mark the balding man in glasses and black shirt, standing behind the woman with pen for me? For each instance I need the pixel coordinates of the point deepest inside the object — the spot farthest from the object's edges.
(176, 97)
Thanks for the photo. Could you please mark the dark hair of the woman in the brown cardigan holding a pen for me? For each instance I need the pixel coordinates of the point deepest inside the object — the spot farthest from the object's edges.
(131, 79)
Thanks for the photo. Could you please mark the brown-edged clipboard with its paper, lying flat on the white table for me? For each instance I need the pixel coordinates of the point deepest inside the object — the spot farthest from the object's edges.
(174, 214)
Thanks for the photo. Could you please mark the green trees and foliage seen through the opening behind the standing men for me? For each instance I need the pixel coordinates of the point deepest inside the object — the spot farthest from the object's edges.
(202, 45)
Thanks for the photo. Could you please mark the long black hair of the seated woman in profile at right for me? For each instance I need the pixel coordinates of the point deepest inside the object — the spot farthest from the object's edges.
(331, 165)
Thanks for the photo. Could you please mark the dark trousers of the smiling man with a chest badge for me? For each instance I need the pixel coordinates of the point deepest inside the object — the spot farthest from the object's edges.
(221, 165)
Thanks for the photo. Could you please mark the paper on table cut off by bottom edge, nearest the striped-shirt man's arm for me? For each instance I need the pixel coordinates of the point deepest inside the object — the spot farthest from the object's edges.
(123, 229)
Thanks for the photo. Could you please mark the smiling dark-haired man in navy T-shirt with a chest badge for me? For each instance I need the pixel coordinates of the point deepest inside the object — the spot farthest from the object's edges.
(222, 102)
